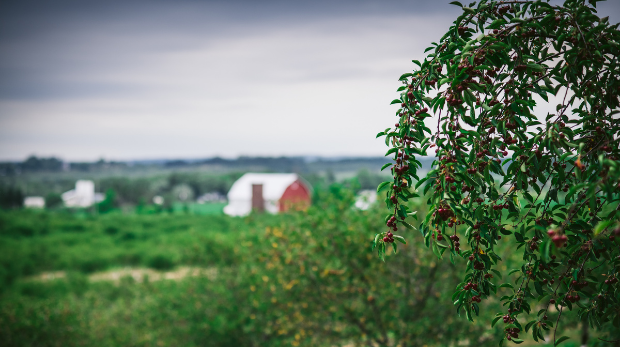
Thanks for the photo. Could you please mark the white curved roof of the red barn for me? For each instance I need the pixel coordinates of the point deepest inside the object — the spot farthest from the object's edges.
(274, 185)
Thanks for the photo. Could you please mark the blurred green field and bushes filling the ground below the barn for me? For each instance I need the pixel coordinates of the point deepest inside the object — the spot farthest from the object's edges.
(300, 279)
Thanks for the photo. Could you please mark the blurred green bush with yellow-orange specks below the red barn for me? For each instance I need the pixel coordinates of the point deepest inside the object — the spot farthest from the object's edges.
(315, 284)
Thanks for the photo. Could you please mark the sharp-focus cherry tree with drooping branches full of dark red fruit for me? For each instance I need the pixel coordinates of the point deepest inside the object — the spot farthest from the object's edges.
(525, 97)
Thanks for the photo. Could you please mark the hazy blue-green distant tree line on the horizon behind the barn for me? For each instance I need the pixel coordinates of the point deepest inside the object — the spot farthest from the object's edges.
(137, 183)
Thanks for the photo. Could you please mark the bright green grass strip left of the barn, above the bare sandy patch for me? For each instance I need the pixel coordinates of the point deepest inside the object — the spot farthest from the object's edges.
(32, 242)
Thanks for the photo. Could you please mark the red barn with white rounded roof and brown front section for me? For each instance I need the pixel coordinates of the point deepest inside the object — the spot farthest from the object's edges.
(267, 192)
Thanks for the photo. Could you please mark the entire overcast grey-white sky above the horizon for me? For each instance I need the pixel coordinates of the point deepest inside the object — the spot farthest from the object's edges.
(129, 79)
